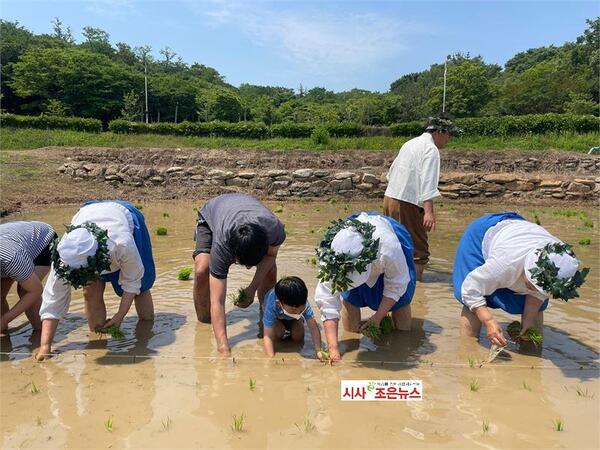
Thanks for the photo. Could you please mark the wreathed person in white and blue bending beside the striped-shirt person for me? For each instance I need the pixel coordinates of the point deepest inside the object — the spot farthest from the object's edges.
(107, 242)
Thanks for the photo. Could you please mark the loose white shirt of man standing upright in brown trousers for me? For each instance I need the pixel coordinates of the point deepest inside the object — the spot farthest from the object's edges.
(414, 175)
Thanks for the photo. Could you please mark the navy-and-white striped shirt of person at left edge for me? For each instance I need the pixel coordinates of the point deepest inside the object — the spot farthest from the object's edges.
(20, 244)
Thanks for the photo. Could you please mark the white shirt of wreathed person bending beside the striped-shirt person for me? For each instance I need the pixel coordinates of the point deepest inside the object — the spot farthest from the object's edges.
(124, 256)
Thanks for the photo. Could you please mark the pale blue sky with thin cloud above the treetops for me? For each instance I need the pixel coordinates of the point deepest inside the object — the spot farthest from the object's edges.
(335, 44)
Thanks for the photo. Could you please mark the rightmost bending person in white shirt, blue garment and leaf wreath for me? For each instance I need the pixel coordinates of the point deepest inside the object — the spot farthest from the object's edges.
(503, 261)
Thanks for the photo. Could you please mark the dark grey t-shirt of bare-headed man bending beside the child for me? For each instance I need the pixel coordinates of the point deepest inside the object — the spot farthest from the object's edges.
(224, 214)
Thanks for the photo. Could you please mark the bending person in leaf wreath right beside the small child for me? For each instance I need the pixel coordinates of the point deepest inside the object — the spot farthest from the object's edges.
(365, 260)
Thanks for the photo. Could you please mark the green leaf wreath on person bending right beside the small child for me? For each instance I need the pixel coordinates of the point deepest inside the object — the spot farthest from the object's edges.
(335, 267)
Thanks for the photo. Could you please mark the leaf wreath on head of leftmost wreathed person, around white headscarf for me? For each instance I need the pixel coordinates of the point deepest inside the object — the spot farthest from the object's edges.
(82, 276)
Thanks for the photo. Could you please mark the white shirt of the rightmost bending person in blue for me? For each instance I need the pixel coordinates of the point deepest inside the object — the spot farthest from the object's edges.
(505, 247)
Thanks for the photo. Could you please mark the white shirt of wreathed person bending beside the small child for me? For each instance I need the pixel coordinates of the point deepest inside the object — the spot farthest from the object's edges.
(390, 261)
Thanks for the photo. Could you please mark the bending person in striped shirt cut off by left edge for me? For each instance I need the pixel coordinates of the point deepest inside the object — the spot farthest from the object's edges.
(24, 258)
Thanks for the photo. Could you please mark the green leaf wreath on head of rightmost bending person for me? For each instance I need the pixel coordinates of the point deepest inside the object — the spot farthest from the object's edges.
(545, 273)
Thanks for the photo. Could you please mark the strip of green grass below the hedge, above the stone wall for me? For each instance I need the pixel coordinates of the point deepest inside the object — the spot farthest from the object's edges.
(20, 139)
